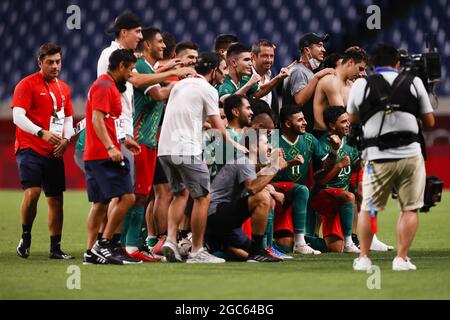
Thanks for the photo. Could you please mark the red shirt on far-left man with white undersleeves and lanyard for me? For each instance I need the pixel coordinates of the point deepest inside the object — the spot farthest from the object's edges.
(33, 94)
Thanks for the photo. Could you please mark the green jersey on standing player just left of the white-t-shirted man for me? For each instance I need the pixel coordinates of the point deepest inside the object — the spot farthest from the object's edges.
(148, 112)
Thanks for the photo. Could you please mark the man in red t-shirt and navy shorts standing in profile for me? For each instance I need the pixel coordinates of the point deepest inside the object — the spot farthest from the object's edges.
(107, 170)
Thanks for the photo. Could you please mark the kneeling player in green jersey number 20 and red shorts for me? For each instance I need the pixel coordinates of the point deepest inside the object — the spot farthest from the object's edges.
(331, 197)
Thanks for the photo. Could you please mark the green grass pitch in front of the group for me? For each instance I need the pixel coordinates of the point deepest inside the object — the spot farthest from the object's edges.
(327, 276)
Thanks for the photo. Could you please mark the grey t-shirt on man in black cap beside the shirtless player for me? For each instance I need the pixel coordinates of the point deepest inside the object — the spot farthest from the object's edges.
(297, 80)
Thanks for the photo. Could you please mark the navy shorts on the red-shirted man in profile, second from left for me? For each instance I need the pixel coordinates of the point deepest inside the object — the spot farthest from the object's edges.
(106, 179)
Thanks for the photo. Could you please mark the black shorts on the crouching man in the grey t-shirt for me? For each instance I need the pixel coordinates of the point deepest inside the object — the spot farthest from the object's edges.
(228, 216)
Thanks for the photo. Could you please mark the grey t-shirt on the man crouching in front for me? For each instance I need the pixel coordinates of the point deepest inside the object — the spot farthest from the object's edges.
(228, 185)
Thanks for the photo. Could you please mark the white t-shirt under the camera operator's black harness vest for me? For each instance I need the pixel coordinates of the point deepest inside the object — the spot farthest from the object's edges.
(396, 121)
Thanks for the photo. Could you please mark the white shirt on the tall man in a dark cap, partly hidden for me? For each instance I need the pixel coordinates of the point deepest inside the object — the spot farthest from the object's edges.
(126, 97)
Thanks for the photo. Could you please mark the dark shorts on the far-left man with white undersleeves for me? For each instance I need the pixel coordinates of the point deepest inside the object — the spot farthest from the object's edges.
(35, 170)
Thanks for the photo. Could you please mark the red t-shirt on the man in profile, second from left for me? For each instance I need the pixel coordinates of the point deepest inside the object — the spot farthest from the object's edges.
(105, 97)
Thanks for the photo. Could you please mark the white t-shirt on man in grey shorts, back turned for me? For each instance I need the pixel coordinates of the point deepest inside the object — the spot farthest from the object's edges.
(190, 102)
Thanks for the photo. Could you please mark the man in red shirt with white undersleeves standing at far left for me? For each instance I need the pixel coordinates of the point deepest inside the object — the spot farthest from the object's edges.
(42, 113)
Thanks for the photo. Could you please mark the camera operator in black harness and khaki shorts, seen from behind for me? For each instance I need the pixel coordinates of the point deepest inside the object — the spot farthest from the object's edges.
(388, 104)
